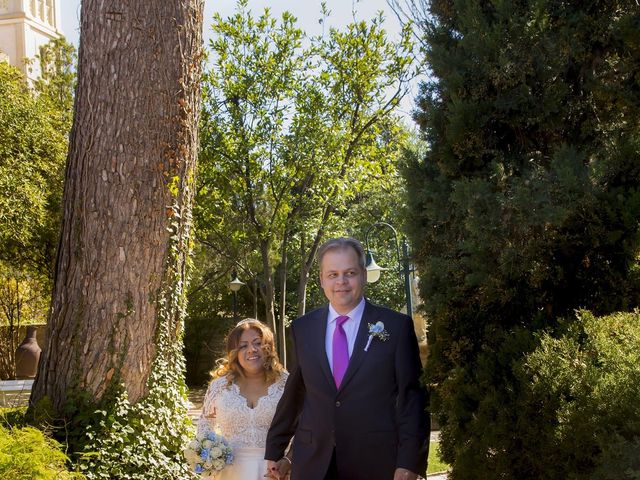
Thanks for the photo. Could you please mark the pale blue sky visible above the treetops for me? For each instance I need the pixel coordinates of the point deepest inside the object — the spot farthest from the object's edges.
(306, 11)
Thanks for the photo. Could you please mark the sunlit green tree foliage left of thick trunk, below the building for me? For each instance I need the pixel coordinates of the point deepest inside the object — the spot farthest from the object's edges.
(35, 125)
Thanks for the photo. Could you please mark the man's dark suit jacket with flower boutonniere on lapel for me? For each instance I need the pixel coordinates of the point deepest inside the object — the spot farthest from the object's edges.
(376, 421)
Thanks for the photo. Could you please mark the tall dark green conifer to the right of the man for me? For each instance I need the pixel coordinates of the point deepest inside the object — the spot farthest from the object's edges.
(525, 206)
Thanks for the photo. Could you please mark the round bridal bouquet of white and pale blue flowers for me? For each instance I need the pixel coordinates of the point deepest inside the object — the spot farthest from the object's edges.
(208, 453)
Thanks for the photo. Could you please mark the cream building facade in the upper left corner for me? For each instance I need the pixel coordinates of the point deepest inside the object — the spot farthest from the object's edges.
(26, 25)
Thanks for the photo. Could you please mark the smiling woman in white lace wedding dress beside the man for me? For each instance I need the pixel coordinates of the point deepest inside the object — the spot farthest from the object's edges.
(242, 398)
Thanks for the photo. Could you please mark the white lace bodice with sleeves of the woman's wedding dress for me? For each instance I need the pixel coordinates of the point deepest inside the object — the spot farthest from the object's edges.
(240, 424)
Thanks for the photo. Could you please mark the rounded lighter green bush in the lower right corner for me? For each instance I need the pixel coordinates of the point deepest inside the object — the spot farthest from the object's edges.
(585, 386)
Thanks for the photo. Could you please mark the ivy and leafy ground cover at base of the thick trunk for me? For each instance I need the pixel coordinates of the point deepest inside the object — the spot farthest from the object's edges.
(115, 439)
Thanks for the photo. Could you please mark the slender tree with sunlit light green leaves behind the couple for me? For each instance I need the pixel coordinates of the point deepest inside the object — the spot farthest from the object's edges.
(292, 129)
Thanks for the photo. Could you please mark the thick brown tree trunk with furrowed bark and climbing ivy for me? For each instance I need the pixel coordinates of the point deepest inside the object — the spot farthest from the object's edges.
(120, 270)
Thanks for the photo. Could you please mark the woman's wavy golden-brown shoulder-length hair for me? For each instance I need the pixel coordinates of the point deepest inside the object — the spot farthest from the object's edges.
(229, 366)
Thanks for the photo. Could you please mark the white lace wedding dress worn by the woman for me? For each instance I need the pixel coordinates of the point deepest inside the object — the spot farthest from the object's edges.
(244, 427)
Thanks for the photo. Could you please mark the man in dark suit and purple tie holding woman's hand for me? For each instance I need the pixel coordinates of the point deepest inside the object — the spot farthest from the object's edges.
(353, 403)
